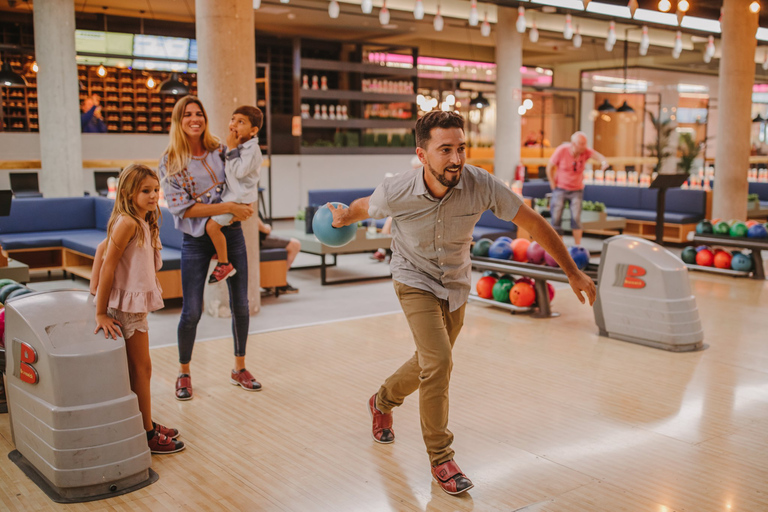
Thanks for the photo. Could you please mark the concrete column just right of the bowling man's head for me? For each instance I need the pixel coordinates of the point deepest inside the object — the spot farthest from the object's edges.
(509, 94)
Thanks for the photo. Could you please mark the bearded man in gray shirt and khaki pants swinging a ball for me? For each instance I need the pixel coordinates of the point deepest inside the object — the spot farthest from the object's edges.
(434, 210)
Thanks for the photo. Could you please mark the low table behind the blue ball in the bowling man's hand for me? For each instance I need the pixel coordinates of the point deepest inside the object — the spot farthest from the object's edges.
(363, 242)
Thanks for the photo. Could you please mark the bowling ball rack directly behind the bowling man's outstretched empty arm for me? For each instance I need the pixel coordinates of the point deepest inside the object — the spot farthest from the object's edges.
(539, 273)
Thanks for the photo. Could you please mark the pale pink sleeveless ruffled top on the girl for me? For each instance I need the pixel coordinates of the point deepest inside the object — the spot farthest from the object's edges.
(135, 288)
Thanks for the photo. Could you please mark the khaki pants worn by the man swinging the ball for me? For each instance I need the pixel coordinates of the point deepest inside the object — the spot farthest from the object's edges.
(434, 329)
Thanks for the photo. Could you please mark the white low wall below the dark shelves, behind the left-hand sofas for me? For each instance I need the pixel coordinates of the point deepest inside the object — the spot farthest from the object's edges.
(293, 175)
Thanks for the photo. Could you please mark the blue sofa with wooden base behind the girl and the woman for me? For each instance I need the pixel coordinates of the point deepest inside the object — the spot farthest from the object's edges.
(63, 234)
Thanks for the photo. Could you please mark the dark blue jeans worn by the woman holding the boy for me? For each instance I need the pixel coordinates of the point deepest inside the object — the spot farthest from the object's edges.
(196, 254)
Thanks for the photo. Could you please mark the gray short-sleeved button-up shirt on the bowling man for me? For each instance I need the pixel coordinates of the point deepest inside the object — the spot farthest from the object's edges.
(431, 237)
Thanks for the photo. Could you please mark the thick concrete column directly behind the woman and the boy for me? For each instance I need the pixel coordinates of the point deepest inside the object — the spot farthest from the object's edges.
(226, 79)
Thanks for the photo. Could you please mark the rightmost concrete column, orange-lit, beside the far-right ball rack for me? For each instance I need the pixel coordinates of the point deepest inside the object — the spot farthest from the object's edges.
(737, 75)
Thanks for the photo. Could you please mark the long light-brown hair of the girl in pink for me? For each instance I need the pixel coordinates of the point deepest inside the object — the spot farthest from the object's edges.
(127, 187)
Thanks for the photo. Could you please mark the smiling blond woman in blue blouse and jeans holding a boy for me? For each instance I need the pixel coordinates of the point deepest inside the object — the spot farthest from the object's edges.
(192, 177)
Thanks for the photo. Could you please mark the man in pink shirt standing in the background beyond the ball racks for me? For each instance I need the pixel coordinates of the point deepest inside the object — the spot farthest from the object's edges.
(565, 172)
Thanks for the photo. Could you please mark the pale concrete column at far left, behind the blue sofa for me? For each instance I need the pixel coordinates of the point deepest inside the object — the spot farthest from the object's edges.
(58, 99)
